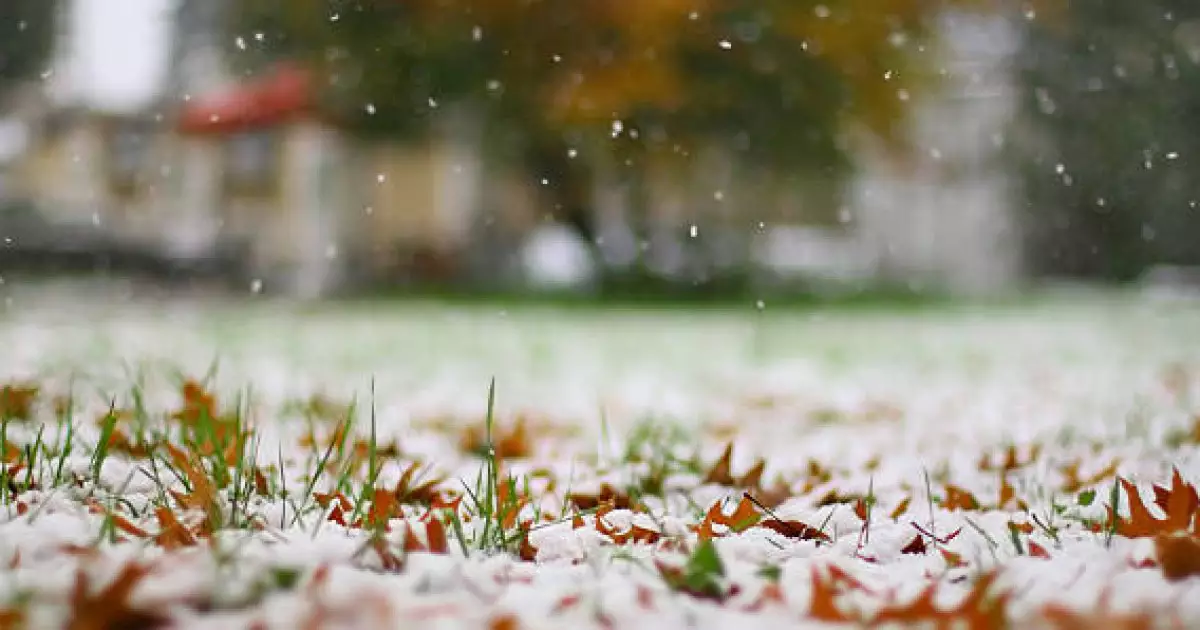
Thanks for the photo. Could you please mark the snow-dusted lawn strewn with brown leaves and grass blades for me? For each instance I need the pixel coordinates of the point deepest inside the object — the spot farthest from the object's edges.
(340, 469)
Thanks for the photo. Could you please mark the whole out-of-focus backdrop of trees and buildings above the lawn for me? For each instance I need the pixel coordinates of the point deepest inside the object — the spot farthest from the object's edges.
(755, 151)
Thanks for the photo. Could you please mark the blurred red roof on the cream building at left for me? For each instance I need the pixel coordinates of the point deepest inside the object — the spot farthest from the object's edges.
(269, 100)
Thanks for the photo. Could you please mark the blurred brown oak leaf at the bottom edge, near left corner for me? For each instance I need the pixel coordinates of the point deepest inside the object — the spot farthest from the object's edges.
(110, 609)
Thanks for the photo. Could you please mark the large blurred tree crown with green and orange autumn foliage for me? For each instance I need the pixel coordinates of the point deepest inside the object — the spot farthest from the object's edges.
(565, 85)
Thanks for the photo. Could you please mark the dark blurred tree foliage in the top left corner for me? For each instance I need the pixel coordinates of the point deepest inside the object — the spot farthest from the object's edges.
(27, 37)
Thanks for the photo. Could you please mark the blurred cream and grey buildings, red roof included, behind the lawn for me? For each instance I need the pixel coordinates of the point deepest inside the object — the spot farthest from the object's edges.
(193, 164)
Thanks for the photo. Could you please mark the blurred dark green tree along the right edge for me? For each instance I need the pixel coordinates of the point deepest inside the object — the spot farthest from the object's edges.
(1108, 153)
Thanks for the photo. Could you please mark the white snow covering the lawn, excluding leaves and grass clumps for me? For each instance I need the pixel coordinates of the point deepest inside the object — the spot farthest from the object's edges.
(919, 394)
